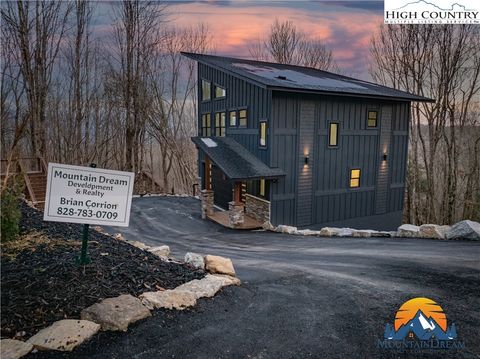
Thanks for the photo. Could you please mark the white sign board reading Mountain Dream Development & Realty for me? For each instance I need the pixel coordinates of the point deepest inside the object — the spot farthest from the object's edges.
(88, 195)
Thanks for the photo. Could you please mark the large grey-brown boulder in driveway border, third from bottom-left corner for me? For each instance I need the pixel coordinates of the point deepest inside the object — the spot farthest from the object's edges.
(116, 313)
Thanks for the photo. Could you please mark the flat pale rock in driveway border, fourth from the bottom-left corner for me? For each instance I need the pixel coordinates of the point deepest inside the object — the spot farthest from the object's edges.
(168, 299)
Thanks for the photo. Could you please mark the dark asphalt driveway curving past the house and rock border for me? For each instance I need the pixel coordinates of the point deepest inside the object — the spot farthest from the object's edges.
(301, 296)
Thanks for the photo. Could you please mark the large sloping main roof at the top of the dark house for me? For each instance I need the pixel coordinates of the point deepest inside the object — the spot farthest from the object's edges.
(282, 77)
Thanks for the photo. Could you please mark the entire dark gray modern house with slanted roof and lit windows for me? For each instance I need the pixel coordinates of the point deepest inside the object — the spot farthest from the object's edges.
(299, 146)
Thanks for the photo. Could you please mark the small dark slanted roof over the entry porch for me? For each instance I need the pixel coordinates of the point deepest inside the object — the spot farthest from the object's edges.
(235, 161)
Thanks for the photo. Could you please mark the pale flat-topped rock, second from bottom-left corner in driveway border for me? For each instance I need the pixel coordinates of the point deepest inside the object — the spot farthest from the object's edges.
(64, 335)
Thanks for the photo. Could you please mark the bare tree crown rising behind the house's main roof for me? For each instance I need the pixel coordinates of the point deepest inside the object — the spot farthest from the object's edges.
(286, 44)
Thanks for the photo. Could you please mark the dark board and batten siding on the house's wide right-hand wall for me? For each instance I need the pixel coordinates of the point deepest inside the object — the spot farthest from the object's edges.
(329, 196)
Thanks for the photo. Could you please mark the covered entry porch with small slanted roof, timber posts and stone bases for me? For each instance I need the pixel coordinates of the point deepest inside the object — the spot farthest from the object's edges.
(238, 166)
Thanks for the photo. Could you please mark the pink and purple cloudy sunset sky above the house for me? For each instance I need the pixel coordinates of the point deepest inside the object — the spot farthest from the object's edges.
(345, 26)
